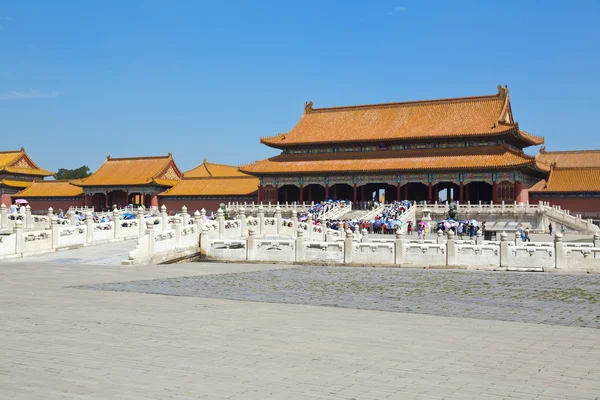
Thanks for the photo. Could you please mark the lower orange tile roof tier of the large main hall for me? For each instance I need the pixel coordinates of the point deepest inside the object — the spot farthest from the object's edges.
(496, 157)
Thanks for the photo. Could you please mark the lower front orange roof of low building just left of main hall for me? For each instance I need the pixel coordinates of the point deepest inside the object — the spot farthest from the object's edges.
(229, 186)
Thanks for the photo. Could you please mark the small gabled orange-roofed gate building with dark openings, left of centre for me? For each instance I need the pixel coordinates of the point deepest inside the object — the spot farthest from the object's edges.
(124, 181)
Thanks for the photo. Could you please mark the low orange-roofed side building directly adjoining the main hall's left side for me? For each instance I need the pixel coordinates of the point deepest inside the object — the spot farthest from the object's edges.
(209, 185)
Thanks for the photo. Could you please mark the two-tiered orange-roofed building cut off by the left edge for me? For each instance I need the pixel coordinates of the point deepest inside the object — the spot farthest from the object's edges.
(17, 171)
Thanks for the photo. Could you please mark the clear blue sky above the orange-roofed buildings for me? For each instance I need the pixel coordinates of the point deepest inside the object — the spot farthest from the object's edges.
(83, 79)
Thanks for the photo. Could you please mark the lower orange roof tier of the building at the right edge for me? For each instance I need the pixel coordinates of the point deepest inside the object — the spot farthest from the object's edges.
(571, 180)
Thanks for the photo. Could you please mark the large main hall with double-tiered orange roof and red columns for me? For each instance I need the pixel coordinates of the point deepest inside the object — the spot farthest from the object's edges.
(469, 149)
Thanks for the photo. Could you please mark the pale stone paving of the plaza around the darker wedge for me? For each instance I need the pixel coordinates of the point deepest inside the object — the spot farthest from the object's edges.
(64, 342)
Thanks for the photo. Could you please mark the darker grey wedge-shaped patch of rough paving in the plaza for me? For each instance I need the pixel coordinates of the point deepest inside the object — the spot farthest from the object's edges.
(557, 299)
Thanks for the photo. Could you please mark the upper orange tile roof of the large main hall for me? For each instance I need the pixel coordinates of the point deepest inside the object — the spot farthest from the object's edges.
(468, 117)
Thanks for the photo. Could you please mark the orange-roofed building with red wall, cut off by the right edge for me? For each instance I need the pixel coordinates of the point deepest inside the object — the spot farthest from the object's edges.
(573, 182)
